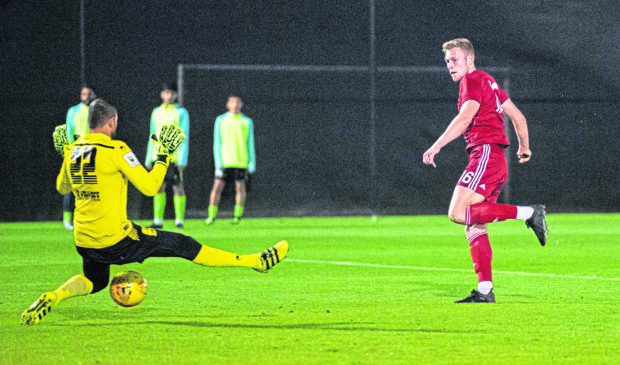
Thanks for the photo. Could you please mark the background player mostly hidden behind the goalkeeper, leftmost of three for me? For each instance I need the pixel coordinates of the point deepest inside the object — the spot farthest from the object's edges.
(77, 125)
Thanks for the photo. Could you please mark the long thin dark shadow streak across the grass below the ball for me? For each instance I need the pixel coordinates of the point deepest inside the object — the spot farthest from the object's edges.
(334, 326)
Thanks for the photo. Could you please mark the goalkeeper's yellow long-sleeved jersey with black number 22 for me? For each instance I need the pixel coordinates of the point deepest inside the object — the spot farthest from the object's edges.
(97, 169)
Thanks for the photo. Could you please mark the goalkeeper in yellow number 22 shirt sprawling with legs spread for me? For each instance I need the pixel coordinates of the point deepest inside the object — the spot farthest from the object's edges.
(97, 169)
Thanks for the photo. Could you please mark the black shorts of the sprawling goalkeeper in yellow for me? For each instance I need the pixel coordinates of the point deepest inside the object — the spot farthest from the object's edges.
(139, 245)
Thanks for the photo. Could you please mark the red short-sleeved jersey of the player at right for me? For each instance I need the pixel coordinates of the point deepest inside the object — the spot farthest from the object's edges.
(488, 124)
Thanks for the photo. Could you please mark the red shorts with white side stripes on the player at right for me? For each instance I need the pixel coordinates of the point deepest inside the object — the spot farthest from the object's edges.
(486, 172)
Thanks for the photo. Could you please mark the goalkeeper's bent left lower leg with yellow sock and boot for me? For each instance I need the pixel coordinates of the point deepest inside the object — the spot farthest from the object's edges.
(77, 285)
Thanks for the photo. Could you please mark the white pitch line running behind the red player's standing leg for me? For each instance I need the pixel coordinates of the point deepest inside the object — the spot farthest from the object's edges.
(422, 268)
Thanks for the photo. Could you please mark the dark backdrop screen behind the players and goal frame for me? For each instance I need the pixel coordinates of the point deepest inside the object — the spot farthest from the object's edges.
(312, 130)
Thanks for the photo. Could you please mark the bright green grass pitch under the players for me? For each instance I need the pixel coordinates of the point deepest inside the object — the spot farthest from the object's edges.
(550, 307)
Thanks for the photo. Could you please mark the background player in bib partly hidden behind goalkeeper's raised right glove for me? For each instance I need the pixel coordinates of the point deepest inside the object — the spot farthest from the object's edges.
(166, 114)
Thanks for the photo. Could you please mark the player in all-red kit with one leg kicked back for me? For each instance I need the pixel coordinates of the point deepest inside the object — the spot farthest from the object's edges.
(481, 106)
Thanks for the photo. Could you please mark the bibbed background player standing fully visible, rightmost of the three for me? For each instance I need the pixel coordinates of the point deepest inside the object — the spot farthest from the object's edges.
(234, 156)
